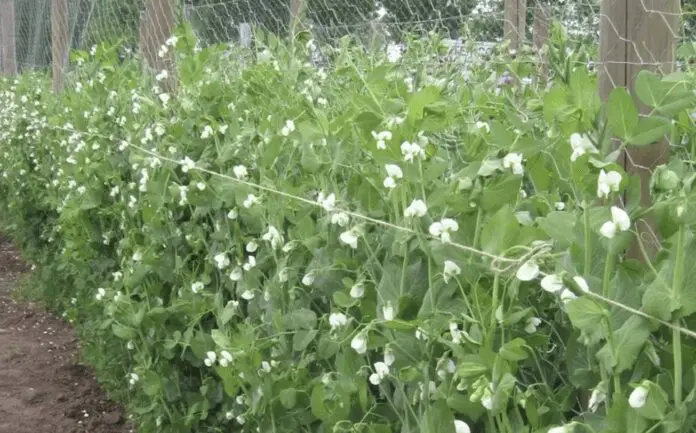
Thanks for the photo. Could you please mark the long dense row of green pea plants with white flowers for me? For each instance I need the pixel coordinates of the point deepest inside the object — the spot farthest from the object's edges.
(391, 244)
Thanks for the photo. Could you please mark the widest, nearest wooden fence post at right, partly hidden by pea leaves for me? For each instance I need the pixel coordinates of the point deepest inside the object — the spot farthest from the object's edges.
(637, 35)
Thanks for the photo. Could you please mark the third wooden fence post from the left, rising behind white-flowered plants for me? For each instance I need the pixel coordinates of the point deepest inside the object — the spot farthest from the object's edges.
(157, 28)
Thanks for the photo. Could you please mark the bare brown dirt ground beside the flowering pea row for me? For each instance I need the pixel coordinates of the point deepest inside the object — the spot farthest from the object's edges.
(43, 387)
